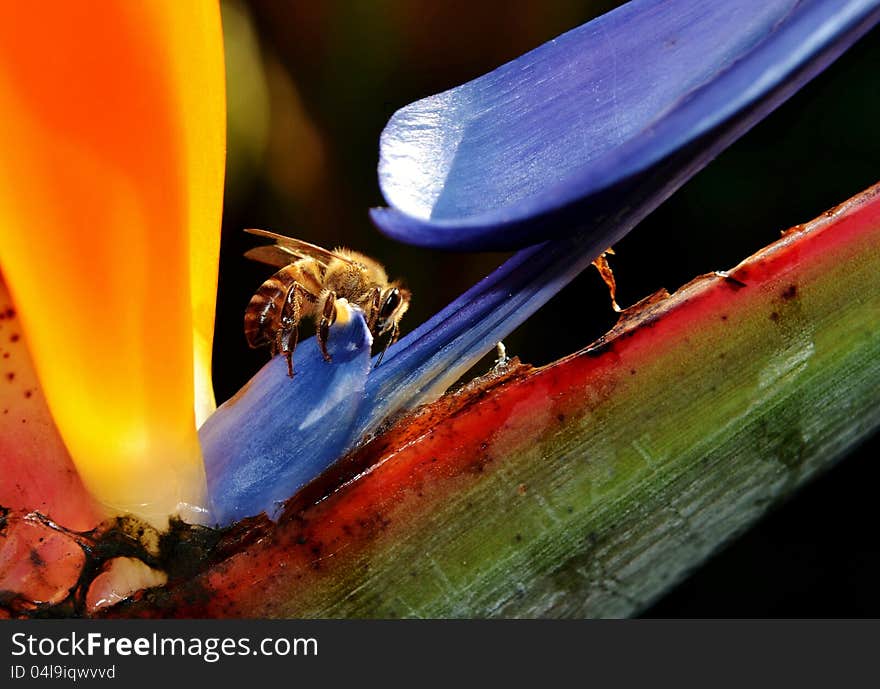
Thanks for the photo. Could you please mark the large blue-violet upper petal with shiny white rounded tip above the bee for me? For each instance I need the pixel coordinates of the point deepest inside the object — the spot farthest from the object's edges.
(545, 144)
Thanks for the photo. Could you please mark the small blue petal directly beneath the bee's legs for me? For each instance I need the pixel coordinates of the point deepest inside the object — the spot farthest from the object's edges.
(276, 434)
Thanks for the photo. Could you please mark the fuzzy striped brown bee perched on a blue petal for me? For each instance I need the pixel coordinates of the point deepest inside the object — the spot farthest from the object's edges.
(309, 282)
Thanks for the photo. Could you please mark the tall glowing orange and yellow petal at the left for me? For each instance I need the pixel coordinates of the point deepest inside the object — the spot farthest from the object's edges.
(111, 176)
